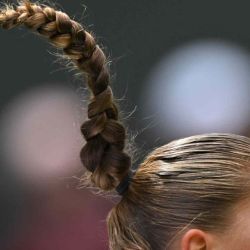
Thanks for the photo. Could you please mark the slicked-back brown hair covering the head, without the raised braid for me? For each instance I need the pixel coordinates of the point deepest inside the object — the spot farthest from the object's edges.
(191, 183)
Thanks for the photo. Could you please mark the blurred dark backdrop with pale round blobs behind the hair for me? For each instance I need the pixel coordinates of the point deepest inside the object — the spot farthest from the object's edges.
(179, 68)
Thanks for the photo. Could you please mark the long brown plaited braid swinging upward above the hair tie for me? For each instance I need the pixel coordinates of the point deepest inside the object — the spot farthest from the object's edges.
(103, 154)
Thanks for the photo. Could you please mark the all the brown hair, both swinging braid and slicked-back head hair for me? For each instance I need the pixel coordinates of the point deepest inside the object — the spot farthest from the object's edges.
(190, 182)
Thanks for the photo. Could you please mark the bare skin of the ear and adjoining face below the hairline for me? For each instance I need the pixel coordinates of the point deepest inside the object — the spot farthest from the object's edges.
(236, 237)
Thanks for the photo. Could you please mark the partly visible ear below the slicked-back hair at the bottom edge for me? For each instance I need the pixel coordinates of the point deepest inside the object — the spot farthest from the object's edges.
(195, 239)
